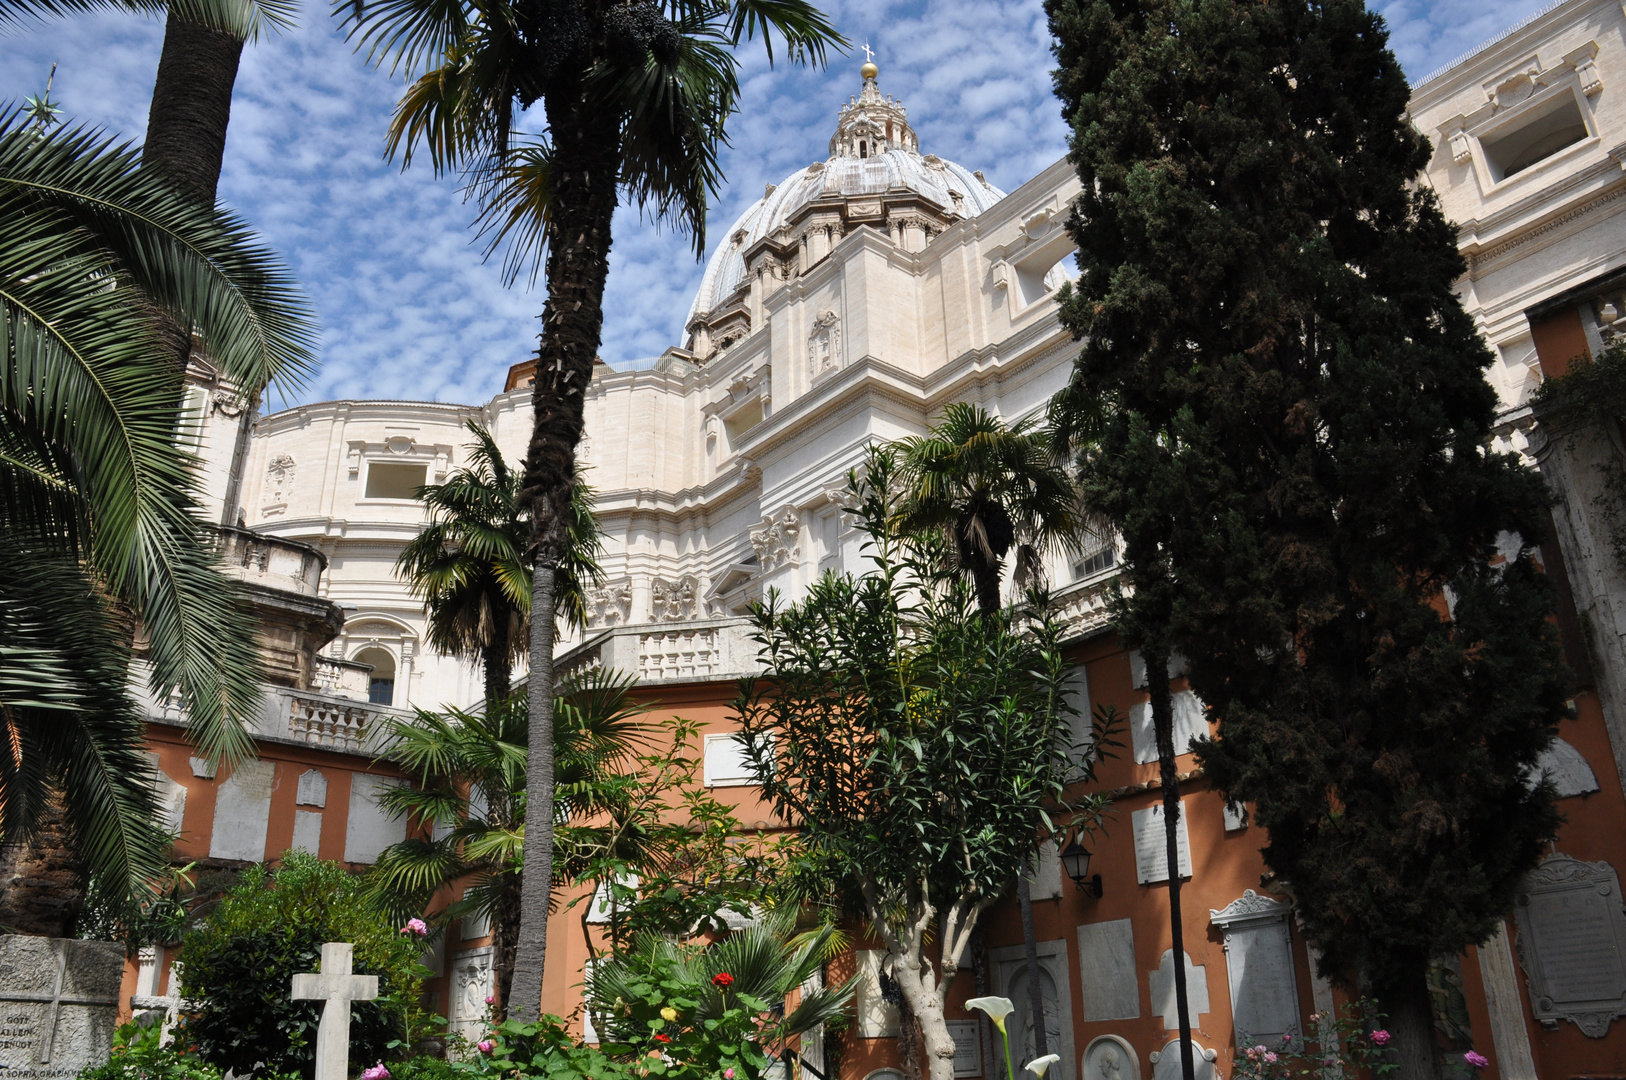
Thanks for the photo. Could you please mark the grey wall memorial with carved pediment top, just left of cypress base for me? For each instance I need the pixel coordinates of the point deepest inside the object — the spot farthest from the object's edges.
(1259, 964)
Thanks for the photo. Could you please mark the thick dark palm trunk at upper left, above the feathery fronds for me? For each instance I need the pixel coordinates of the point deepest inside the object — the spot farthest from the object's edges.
(186, 124)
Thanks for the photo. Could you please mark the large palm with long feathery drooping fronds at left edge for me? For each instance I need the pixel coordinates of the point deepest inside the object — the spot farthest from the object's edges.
(98, 494)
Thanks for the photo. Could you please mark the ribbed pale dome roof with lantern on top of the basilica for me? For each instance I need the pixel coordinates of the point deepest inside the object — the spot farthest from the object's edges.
(897, 168)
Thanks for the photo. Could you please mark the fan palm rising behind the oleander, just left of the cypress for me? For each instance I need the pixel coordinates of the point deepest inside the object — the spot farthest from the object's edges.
(991, 487)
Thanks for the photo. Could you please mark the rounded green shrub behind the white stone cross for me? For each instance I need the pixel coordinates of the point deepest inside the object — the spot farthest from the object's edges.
(241, 960)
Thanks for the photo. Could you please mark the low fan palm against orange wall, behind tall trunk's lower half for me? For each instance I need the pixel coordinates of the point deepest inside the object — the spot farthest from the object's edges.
(469, 788)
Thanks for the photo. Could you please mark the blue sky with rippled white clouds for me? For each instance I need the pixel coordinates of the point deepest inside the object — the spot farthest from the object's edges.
(409, 307)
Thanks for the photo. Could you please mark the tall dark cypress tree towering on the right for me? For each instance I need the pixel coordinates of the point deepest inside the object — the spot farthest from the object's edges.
(1290, 425)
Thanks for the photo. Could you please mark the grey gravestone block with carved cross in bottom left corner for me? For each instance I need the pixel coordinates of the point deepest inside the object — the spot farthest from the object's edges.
(58, 1006)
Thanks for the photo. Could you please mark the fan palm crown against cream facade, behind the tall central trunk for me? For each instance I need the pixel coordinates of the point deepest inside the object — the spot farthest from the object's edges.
(472, 564)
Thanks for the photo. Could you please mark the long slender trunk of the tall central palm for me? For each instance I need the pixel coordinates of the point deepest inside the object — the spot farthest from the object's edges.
(585, 159)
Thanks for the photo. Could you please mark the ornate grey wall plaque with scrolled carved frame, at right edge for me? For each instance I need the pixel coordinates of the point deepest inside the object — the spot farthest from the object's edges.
(1573, 944)
